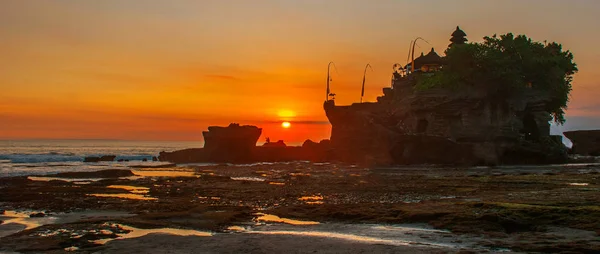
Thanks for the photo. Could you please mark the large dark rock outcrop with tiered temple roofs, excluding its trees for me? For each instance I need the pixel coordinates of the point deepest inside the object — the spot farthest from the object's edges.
(409, 126)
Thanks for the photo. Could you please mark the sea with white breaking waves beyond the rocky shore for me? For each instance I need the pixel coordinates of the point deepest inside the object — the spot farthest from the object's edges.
(42, 157)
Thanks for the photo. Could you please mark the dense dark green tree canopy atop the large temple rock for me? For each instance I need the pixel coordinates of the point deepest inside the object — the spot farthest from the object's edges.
(506, 65)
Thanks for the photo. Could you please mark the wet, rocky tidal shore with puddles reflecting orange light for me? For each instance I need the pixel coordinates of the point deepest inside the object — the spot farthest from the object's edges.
(529, 209)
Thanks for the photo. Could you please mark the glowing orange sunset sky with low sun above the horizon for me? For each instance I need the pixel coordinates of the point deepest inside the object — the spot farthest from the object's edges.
(165, 70)
